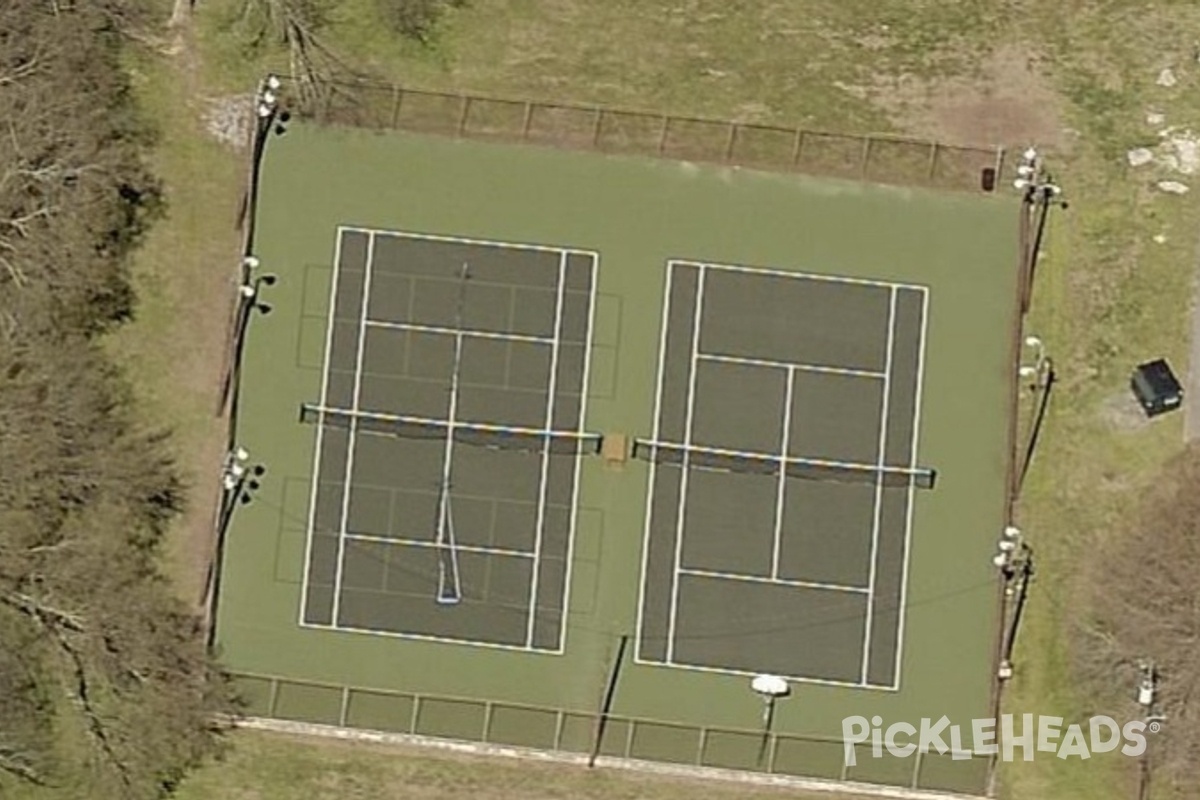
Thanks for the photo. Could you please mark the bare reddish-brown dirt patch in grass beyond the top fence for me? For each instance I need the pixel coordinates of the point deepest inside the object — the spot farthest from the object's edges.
(1009, 103)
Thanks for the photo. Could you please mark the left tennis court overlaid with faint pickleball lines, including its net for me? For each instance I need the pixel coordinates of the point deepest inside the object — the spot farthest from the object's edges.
(449, 436)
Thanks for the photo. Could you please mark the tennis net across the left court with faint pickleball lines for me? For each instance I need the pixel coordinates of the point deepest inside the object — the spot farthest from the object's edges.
(497, 437)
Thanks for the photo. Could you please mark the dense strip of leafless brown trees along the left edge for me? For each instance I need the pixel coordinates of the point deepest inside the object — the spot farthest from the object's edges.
(98, 658)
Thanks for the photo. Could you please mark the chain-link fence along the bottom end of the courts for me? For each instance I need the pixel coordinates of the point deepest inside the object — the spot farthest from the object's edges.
(561, 731)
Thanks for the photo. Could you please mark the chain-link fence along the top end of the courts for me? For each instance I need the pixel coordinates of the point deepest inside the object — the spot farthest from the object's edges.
(874, 159)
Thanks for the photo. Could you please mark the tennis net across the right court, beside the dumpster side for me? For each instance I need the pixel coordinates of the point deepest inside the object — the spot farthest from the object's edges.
(736, 461)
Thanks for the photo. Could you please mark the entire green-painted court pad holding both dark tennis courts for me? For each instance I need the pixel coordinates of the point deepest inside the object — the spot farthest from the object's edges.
(813, 378)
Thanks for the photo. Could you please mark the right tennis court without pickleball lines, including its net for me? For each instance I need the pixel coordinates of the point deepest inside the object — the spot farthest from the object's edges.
(784, 465)
